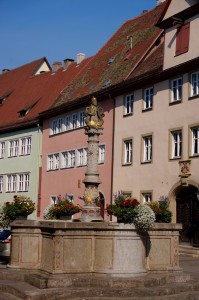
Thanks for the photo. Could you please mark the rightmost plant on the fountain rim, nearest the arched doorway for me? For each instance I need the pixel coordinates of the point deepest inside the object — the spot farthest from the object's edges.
(161, 210)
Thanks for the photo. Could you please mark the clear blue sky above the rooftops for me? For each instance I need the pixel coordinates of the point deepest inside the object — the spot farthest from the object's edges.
(59, 29)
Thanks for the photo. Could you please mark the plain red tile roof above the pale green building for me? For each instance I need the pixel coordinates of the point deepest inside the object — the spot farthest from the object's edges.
(33, 93)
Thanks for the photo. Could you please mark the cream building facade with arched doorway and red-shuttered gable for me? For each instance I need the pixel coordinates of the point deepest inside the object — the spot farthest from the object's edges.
(156, 138)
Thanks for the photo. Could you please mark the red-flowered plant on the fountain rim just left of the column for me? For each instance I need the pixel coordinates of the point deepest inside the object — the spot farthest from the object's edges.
(63, 209)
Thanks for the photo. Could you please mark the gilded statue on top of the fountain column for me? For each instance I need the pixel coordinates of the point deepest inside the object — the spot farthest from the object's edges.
(94, 114)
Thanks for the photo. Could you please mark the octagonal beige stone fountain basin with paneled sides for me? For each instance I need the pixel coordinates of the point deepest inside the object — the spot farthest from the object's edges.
(58, 247)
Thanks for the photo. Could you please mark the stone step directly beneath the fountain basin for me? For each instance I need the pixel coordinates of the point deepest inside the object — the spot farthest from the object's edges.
(43, 281)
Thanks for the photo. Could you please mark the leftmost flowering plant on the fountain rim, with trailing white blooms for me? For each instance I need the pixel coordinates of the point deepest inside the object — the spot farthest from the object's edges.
(20, 207)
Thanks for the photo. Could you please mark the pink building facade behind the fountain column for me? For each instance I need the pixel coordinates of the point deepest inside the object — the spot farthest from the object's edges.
(64, 146)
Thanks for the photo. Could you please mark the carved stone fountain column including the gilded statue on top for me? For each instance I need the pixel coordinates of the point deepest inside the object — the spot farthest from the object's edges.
(94, 121)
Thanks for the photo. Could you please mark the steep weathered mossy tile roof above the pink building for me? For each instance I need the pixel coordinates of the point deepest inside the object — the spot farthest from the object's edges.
(117, 58)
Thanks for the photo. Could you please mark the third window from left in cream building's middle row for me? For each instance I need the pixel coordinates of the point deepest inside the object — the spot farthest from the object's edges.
(176, 147)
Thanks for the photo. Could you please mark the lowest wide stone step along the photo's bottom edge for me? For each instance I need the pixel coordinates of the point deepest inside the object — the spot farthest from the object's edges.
(23, 290)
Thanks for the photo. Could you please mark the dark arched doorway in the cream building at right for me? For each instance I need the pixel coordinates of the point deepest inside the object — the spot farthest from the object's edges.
(187, 208)
